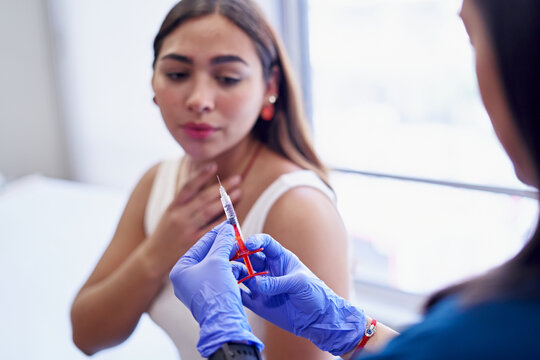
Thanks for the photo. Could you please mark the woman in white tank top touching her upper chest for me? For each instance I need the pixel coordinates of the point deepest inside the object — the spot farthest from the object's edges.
(226, 94)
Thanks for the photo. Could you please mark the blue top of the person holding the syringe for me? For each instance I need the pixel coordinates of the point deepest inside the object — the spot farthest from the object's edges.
(494, 330)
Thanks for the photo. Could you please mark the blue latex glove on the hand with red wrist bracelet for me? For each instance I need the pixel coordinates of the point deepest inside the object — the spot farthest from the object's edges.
(296, 300)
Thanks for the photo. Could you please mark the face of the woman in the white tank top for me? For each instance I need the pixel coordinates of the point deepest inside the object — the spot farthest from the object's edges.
(208, 83)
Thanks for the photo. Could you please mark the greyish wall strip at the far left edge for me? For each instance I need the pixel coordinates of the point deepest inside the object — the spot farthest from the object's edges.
(31, 134)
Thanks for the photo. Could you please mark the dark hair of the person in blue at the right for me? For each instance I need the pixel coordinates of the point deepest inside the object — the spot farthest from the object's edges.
(514, 30)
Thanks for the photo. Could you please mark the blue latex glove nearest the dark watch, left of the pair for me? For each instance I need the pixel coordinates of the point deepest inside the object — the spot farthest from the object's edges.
(203, 281)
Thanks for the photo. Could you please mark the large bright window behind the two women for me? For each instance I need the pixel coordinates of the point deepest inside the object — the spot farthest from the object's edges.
(394, 95)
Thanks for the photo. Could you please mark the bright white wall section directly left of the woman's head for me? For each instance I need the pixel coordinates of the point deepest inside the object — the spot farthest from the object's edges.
(104, 57)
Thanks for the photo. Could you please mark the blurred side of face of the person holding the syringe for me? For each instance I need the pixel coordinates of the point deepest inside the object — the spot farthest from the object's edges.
(492, 92)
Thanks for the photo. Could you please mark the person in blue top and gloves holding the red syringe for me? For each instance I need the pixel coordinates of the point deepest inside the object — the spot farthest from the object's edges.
(495, 316)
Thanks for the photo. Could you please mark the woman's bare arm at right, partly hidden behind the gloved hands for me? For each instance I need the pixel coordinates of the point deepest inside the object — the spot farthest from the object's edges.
(306, 222)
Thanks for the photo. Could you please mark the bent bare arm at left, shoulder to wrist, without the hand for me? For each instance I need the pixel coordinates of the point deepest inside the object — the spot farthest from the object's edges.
(110, 303)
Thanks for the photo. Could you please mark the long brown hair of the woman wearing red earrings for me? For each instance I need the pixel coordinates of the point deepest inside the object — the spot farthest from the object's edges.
(288, 132)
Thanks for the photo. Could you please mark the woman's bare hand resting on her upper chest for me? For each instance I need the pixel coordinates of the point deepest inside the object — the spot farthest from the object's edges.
(195, 210)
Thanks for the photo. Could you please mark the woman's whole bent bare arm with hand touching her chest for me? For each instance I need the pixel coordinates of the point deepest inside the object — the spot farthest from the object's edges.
(133, 268)
